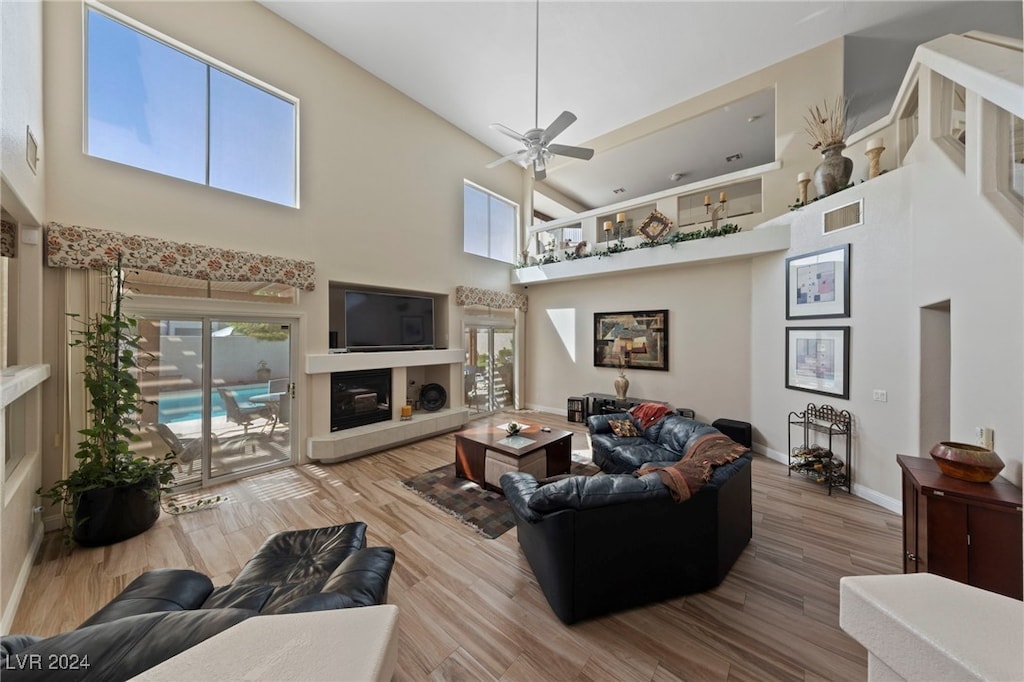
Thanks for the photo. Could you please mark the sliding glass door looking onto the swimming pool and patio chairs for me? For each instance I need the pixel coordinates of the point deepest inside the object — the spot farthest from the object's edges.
(220, 395)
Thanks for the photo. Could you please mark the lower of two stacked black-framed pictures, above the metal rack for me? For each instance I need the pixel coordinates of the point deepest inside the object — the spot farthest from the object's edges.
(818, 360)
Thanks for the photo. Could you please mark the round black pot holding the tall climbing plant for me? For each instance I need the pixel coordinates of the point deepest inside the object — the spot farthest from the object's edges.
(109, 516)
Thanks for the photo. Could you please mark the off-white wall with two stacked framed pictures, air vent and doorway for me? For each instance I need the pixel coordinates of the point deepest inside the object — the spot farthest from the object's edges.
(927, 238)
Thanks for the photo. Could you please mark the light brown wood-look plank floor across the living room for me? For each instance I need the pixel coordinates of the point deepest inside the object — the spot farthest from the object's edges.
(471, 609)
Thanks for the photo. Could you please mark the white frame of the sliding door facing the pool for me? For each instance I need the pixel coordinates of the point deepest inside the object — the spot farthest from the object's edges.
(158, 308)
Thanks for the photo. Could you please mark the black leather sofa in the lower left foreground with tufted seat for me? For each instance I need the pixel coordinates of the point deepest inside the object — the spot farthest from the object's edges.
(165, 612)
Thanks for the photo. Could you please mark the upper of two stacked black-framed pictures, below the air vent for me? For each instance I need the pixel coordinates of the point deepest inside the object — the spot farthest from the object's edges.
(818, 285)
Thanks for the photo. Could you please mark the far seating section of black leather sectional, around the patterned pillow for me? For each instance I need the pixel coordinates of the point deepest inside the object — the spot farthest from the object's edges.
(664, 443)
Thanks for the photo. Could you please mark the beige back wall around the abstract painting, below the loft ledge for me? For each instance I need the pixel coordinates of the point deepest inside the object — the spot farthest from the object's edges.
(709, 338)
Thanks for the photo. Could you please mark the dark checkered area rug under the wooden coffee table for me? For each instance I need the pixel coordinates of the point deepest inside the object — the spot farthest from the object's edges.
(487, 513)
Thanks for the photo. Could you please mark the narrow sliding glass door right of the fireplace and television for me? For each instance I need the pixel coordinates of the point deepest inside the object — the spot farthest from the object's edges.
(490, 369)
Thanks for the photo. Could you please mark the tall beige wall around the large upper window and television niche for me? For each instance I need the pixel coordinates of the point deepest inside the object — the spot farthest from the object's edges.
(381, 177)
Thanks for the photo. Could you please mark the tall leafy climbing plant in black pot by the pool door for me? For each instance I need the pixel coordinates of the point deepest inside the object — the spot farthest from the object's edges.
(114, 494)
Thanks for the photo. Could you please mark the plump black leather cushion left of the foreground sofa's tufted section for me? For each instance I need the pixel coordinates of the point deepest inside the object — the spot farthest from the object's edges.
(160, 590)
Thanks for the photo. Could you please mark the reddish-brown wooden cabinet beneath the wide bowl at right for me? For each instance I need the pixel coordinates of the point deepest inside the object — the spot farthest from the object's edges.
(960, 530)
